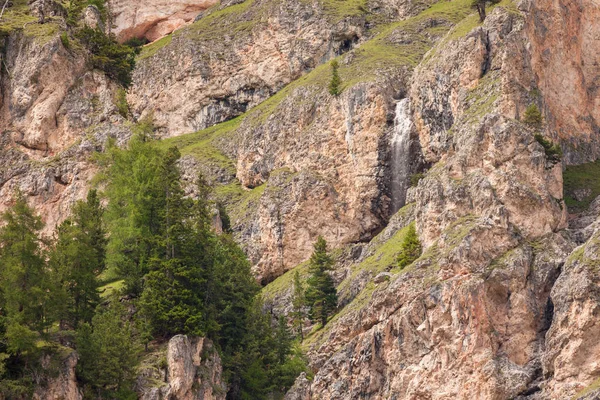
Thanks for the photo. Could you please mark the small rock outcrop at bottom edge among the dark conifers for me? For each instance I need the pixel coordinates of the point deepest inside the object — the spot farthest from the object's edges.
(191, 371)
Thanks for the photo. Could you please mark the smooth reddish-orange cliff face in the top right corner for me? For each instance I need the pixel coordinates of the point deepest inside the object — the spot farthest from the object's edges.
(565, 56)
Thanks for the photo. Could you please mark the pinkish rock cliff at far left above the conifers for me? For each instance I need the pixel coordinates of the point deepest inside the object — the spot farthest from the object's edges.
(55, 112)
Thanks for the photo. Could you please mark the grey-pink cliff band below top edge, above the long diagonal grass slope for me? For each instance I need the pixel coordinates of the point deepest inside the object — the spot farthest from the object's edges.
(232, 59)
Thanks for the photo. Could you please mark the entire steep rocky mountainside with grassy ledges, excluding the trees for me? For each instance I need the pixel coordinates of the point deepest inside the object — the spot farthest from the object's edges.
(482, 135)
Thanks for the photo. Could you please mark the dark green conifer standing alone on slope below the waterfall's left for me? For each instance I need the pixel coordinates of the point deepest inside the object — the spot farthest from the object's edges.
(321, 295)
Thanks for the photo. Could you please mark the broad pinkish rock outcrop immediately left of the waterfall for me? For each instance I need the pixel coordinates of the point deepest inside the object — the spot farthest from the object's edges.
(342, 139)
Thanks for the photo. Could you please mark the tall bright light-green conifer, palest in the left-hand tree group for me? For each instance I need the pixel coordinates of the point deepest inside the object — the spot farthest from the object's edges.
(136, 203)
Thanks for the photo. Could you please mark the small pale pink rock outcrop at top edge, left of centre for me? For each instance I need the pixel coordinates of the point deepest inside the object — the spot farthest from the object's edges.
(152, 19)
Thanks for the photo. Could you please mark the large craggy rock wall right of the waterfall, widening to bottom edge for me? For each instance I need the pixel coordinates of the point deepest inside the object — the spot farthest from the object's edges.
(487, 311)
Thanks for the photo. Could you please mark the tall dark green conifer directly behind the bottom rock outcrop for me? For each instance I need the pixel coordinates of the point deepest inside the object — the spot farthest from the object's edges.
(173, 296)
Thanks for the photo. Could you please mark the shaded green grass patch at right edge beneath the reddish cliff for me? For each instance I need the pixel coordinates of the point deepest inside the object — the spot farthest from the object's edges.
(581, 179)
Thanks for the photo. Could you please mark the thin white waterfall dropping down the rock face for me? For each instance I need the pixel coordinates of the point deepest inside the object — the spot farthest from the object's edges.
(400, 155)
